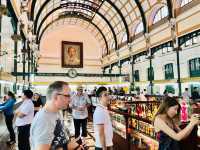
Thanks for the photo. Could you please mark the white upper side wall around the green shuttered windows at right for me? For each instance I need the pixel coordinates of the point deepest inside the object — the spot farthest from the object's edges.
(158, 63)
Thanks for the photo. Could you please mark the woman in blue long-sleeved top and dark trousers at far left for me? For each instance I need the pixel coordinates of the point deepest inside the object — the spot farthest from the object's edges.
(7, 108)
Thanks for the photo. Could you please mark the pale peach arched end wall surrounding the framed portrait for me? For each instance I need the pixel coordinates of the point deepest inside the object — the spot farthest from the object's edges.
(50, 51)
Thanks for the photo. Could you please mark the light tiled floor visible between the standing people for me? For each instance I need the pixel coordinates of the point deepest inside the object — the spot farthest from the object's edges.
(68, 123)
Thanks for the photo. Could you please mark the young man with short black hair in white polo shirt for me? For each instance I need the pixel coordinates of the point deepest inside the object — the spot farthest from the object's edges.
(103, 130)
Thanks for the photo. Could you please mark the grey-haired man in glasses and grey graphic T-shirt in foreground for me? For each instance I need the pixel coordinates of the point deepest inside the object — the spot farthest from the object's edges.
(47, 129)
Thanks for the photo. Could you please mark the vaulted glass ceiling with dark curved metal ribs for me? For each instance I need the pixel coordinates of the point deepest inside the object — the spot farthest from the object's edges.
(114, 19)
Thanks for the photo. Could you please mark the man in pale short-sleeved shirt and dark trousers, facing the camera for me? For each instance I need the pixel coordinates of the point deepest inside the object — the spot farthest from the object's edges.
(79, 104)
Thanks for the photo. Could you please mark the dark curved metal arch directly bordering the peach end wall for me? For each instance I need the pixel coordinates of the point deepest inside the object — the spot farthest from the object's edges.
(68, 15)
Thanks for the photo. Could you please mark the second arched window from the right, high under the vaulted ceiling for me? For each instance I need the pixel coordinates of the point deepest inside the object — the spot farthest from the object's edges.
(162, 13)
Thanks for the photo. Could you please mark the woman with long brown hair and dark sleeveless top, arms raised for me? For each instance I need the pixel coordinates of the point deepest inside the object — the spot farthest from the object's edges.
(166, 127)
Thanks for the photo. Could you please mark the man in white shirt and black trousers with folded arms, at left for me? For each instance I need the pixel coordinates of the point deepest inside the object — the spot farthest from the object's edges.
(24, 119)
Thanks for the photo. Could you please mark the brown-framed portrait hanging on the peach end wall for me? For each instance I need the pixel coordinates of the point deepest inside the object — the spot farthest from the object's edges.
(72, 54)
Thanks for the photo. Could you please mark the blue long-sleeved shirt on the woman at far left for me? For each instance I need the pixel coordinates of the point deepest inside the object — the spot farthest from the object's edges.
(7, 107)
